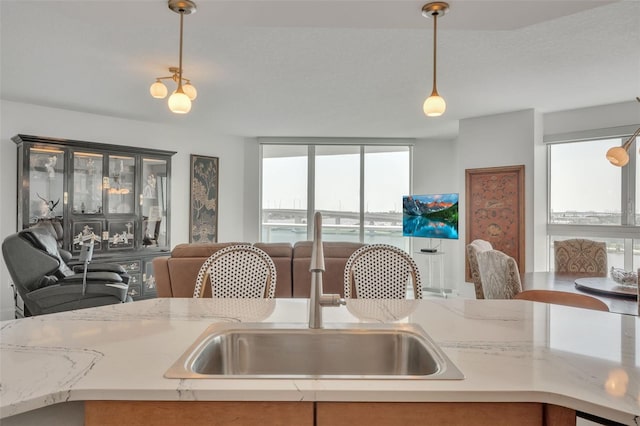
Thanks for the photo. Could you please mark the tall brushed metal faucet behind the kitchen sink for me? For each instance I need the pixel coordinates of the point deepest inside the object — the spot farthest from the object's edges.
(317, 299)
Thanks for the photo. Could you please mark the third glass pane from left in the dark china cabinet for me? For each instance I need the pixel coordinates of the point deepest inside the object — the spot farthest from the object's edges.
(121, 184)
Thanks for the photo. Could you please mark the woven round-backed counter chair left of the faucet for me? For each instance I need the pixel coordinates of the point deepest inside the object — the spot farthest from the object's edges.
(238, 271)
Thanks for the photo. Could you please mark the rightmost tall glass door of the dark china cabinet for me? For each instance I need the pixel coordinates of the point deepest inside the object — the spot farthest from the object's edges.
(153, 202)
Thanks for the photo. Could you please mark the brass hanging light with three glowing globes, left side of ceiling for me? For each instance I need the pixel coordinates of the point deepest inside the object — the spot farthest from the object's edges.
(180, 99)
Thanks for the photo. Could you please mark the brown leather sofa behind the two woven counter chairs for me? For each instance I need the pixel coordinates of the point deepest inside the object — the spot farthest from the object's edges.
(176, 275)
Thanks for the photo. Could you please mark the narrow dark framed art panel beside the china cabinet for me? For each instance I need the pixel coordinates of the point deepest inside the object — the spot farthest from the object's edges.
(203, 211)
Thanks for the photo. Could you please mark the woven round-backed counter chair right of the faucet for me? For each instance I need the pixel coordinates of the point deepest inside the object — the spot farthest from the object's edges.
(380, 271)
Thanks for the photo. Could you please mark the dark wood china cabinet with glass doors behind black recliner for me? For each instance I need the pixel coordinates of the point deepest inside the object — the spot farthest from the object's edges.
(117, 195)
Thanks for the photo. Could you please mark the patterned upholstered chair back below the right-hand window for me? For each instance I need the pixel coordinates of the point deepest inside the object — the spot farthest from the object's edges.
(580, 256)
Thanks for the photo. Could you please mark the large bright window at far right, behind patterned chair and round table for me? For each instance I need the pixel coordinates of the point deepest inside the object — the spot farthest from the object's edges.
(590, 198)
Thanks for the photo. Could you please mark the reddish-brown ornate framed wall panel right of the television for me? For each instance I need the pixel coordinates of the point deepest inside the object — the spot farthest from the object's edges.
(495, 210)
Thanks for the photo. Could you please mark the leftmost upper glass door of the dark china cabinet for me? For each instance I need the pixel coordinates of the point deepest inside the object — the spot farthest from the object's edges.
(46, 183)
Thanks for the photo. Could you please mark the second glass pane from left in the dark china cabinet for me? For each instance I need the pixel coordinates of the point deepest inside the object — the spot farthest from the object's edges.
(87, 183)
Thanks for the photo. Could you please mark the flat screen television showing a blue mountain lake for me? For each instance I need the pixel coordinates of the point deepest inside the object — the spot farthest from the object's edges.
(430, 216)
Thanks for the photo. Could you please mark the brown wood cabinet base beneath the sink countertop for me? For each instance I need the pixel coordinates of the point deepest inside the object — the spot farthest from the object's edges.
(194, 413)
